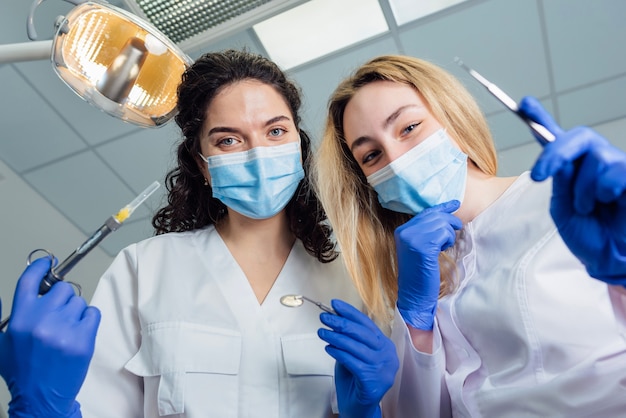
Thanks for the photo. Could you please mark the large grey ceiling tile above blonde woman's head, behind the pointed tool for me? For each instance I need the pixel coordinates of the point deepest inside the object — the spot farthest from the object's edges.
(501, 39)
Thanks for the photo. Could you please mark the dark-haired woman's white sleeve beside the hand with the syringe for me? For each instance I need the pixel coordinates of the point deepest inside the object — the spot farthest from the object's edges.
(110, 390)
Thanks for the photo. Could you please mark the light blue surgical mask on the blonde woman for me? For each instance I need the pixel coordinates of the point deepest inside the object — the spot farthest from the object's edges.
(432, 172)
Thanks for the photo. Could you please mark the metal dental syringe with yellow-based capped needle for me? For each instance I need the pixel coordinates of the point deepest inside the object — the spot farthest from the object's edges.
(57, 272)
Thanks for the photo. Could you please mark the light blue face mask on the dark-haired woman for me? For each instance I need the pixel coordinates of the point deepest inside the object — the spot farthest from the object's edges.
(257, 183)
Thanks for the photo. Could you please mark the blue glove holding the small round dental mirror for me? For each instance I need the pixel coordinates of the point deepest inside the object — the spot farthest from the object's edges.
(366, 360)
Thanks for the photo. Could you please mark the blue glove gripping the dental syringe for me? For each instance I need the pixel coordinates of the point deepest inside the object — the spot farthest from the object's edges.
(45, 352)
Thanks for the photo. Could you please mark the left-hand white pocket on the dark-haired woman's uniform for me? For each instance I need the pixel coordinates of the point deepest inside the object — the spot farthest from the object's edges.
(172, 352)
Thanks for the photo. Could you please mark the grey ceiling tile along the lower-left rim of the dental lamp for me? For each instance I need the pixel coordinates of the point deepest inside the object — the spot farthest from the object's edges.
(83, 116)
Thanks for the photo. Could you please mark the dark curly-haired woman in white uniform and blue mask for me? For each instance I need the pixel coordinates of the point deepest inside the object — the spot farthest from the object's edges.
(192, 324)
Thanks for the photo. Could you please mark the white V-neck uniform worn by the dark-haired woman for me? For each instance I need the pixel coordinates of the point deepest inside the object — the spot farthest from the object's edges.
(182, 334)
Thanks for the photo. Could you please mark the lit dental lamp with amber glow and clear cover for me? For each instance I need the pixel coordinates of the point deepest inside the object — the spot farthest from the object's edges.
(116, 62)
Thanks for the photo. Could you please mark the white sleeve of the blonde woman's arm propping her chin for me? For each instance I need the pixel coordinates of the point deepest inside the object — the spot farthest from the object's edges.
(419, 389)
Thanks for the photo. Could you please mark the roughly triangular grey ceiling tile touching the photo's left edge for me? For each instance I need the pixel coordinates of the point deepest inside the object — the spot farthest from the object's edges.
(33, 133)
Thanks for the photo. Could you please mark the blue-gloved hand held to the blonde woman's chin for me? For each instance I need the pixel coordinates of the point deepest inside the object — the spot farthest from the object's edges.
(418, 244)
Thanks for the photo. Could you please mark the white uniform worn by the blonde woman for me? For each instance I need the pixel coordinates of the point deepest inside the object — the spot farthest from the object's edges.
(527, 334)
